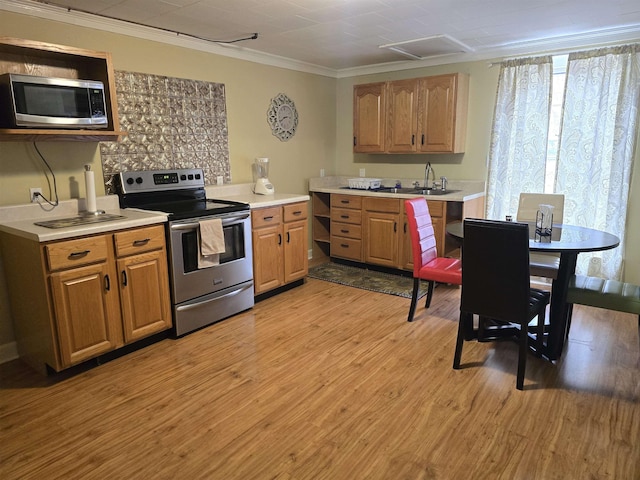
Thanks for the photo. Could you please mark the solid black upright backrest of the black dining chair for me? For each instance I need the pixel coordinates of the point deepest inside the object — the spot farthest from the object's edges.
(495, 269)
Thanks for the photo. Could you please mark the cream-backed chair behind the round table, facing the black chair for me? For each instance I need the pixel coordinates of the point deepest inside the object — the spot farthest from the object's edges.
(542, 264)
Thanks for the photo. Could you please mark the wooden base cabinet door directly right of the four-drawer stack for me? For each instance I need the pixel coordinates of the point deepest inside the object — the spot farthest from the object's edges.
(381, 244)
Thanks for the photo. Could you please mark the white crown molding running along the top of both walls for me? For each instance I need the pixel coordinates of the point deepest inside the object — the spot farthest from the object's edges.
(561, 44)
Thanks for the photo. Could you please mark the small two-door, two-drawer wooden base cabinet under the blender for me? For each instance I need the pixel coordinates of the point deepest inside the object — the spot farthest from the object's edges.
(279, 237)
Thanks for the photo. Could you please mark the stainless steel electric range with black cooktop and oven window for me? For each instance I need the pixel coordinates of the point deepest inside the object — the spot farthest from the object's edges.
(200, 296)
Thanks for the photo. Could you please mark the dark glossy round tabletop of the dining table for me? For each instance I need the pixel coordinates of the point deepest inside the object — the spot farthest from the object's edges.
(564, 238)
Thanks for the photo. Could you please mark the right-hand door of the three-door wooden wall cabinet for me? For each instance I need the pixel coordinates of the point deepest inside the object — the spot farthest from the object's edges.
(437, 113)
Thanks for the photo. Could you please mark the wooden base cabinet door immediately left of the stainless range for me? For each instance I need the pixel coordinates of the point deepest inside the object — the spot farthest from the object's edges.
(144, 294)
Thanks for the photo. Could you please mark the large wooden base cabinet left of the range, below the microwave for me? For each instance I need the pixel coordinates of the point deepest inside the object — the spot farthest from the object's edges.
(87, 296)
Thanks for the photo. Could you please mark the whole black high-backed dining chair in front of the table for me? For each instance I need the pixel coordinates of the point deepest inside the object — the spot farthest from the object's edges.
(496, 288)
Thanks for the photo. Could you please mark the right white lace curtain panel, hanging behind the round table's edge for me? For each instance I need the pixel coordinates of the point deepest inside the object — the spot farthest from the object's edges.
(596, 149)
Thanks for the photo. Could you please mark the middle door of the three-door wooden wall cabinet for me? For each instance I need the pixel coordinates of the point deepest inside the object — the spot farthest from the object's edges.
(402, 116)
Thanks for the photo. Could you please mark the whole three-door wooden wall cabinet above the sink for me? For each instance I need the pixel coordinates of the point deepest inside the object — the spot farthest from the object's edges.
(420, 115)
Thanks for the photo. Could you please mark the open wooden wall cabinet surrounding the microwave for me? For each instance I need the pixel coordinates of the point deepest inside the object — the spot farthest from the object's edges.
(49, 60)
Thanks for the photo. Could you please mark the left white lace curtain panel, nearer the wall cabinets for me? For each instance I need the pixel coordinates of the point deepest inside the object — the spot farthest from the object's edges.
(518, 150)
